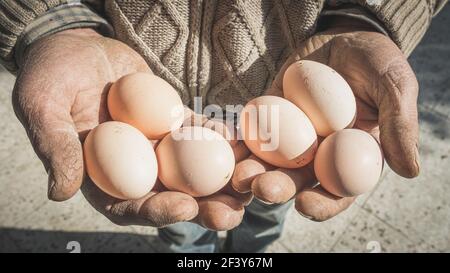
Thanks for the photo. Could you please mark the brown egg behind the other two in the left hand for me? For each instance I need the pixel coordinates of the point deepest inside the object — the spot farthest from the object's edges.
(147, 102)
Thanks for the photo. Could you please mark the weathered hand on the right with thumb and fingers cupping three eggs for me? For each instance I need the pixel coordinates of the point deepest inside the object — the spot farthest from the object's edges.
(386, 93)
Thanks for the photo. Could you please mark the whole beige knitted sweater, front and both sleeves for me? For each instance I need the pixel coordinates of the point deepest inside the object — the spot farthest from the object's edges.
(227, 52)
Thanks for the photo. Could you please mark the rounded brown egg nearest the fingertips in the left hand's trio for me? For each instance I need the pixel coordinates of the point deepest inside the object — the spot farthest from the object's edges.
(195, 160)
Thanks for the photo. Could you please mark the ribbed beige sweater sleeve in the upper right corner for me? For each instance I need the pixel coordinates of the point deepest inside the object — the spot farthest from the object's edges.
(405, 21)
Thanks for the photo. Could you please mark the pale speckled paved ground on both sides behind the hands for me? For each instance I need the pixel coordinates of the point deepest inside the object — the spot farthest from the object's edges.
(398, 216)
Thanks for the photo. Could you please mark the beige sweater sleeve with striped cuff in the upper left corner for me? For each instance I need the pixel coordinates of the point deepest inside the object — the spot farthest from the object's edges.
(24, 21)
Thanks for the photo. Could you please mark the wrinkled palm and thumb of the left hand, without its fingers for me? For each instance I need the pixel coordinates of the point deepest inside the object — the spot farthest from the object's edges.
(60, 93)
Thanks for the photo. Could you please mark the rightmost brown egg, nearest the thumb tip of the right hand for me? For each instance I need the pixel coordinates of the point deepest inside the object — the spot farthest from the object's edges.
(348, 163)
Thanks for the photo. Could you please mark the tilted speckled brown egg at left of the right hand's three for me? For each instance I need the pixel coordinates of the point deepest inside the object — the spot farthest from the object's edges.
(278, 132)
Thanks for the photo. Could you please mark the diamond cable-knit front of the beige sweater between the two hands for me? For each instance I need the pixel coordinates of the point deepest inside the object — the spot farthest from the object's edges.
(227, 52)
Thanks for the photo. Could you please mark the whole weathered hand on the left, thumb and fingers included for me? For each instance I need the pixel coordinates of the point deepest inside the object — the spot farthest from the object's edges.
(60, 94)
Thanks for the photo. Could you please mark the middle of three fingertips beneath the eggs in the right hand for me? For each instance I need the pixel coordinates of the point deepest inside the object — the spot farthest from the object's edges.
(279, 186)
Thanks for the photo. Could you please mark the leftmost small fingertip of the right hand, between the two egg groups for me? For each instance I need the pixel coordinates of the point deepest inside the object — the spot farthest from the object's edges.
(246, 171)
